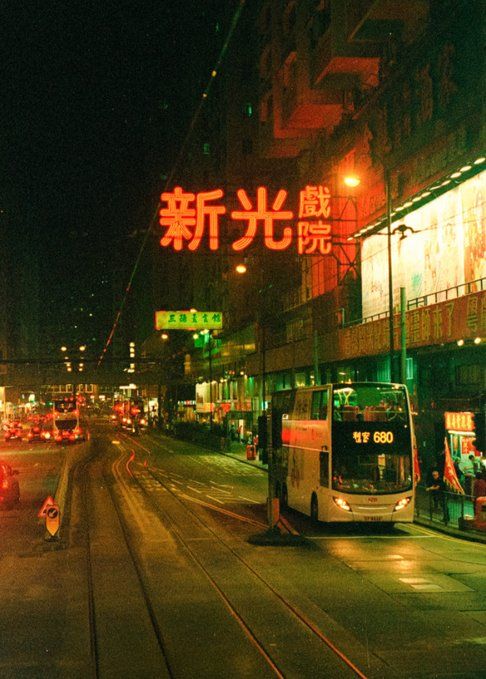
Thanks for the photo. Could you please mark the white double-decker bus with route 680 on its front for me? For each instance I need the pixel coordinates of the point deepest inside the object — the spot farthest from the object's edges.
(344, 452)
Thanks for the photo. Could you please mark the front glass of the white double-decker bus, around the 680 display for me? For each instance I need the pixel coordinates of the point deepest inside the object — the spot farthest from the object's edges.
(372, 448)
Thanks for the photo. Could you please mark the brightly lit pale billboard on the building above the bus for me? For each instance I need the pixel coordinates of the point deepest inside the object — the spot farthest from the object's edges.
(447, 249)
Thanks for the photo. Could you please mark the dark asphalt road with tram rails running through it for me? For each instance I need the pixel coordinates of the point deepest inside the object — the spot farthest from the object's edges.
(155, 576)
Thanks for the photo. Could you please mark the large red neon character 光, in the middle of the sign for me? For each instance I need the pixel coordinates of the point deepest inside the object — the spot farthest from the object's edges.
(268, 217)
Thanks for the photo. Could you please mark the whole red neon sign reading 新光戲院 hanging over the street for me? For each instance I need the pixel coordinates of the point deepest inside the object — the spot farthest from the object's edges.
(189, 217)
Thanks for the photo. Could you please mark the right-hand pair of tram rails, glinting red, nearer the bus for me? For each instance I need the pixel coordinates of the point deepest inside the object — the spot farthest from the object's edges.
(297, 615)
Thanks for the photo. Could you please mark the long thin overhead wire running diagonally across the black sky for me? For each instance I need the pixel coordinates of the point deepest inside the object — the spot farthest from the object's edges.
(214, 72)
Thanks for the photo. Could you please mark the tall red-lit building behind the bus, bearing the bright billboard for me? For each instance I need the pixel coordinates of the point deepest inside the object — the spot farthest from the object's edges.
(387, 96)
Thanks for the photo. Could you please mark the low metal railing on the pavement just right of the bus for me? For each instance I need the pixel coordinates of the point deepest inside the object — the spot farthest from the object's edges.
(449, 509)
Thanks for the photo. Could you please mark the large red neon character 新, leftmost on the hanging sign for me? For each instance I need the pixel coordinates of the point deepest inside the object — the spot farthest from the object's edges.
(179, 216)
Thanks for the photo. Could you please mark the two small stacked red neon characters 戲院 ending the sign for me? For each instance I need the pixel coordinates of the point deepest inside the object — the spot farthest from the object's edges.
(312, 236)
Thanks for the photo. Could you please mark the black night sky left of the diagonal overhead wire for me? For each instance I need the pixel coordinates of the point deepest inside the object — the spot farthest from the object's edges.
(96, 98)
